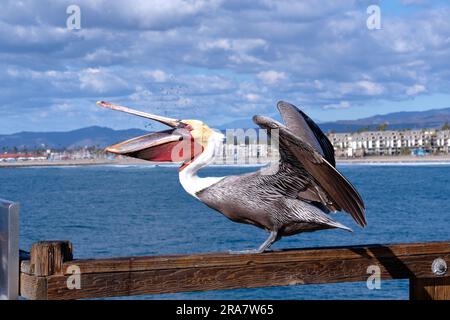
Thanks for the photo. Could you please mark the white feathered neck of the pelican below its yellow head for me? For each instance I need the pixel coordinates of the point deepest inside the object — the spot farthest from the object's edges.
(188, 175)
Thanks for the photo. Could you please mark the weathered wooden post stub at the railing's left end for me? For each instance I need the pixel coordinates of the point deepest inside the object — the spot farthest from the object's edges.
(46, 259)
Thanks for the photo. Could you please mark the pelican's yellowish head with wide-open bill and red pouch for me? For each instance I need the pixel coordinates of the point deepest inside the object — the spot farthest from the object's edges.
(182, 143)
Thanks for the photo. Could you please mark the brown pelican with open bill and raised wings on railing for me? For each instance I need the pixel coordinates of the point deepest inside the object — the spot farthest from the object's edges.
(296, 197)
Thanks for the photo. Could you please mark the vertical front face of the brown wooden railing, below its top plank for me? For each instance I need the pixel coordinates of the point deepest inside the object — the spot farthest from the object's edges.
(231, 277)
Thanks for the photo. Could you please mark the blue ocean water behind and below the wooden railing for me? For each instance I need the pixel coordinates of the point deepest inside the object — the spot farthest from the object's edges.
(111, 211)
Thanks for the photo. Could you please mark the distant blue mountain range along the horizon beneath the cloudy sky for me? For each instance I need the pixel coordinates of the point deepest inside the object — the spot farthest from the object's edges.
(103, 137)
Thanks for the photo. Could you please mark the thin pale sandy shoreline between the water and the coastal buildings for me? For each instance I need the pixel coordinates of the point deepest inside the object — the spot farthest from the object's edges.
(131, 162)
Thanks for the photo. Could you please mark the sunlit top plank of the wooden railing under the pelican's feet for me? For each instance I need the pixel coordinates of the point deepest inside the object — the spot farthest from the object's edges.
(126, 264)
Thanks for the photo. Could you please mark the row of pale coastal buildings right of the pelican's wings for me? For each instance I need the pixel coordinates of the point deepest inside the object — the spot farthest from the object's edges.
(402, 142)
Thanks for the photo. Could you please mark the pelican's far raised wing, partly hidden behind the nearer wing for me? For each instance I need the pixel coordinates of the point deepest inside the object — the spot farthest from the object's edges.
(307, 130)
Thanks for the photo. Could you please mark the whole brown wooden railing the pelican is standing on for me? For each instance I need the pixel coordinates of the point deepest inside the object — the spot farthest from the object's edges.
(52, 273)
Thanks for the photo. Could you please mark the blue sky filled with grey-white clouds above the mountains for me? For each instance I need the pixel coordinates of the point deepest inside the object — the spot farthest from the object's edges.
(218, 60)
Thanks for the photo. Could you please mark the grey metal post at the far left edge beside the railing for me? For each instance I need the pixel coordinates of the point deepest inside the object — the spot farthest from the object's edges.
(9, 250)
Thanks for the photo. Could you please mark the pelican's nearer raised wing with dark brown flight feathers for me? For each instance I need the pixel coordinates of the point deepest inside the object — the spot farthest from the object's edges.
(320, 178)
